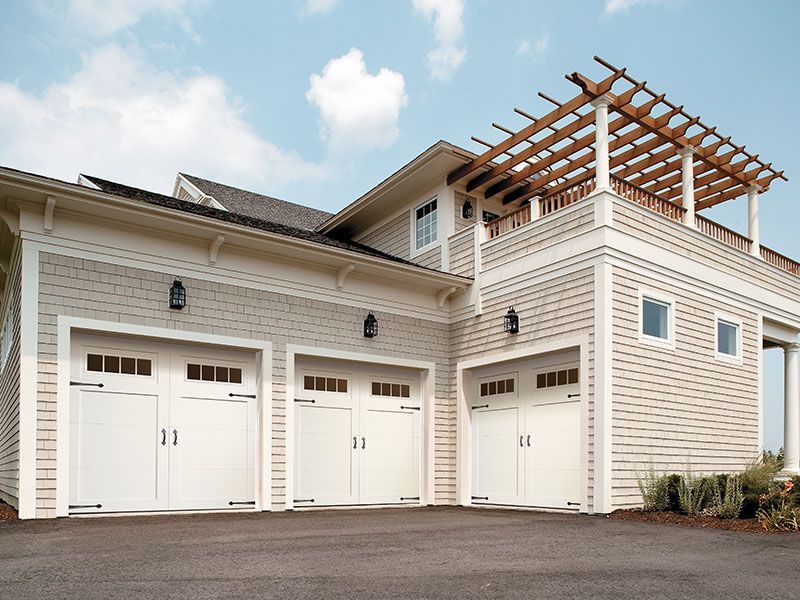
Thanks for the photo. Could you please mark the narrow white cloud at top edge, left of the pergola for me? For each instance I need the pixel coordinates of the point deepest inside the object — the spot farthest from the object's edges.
(447, 17)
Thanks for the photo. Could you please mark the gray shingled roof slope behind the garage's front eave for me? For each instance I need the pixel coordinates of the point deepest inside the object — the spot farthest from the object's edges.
(259, 206)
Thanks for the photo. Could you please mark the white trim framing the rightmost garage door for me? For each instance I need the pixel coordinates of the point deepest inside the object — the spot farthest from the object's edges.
(544, 354)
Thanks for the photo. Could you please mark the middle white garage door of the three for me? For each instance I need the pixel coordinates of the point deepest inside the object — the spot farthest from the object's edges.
(357, 435)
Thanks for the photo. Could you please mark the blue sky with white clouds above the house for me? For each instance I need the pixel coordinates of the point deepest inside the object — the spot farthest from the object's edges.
(316, 101)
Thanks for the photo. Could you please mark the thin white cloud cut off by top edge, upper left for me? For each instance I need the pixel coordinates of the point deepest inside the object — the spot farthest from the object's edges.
(106, 17)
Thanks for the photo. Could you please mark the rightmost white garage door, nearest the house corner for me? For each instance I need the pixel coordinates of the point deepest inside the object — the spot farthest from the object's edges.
(526, 439)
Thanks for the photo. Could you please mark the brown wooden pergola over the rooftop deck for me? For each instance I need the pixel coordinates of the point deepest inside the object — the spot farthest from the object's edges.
(651, 143)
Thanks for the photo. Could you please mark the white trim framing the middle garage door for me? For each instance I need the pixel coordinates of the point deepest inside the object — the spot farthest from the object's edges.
(427, 400)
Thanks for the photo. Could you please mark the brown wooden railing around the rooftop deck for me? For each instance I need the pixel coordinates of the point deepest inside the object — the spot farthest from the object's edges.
(555, 201)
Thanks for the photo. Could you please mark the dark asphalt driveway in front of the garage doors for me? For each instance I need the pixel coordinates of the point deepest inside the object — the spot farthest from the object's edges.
(416, 553)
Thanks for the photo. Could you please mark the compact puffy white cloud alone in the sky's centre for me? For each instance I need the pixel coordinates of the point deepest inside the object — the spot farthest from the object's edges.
(358, 111)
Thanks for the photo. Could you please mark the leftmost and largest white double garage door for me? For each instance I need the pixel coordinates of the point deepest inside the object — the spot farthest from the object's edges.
(160, 427)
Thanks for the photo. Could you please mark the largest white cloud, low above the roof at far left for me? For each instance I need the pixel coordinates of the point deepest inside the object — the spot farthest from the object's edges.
(119, 117)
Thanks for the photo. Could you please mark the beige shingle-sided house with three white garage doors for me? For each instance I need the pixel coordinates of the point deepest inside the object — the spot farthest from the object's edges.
(592, 397)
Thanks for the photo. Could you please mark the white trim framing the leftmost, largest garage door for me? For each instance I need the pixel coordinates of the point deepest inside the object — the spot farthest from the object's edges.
(69, 325)
